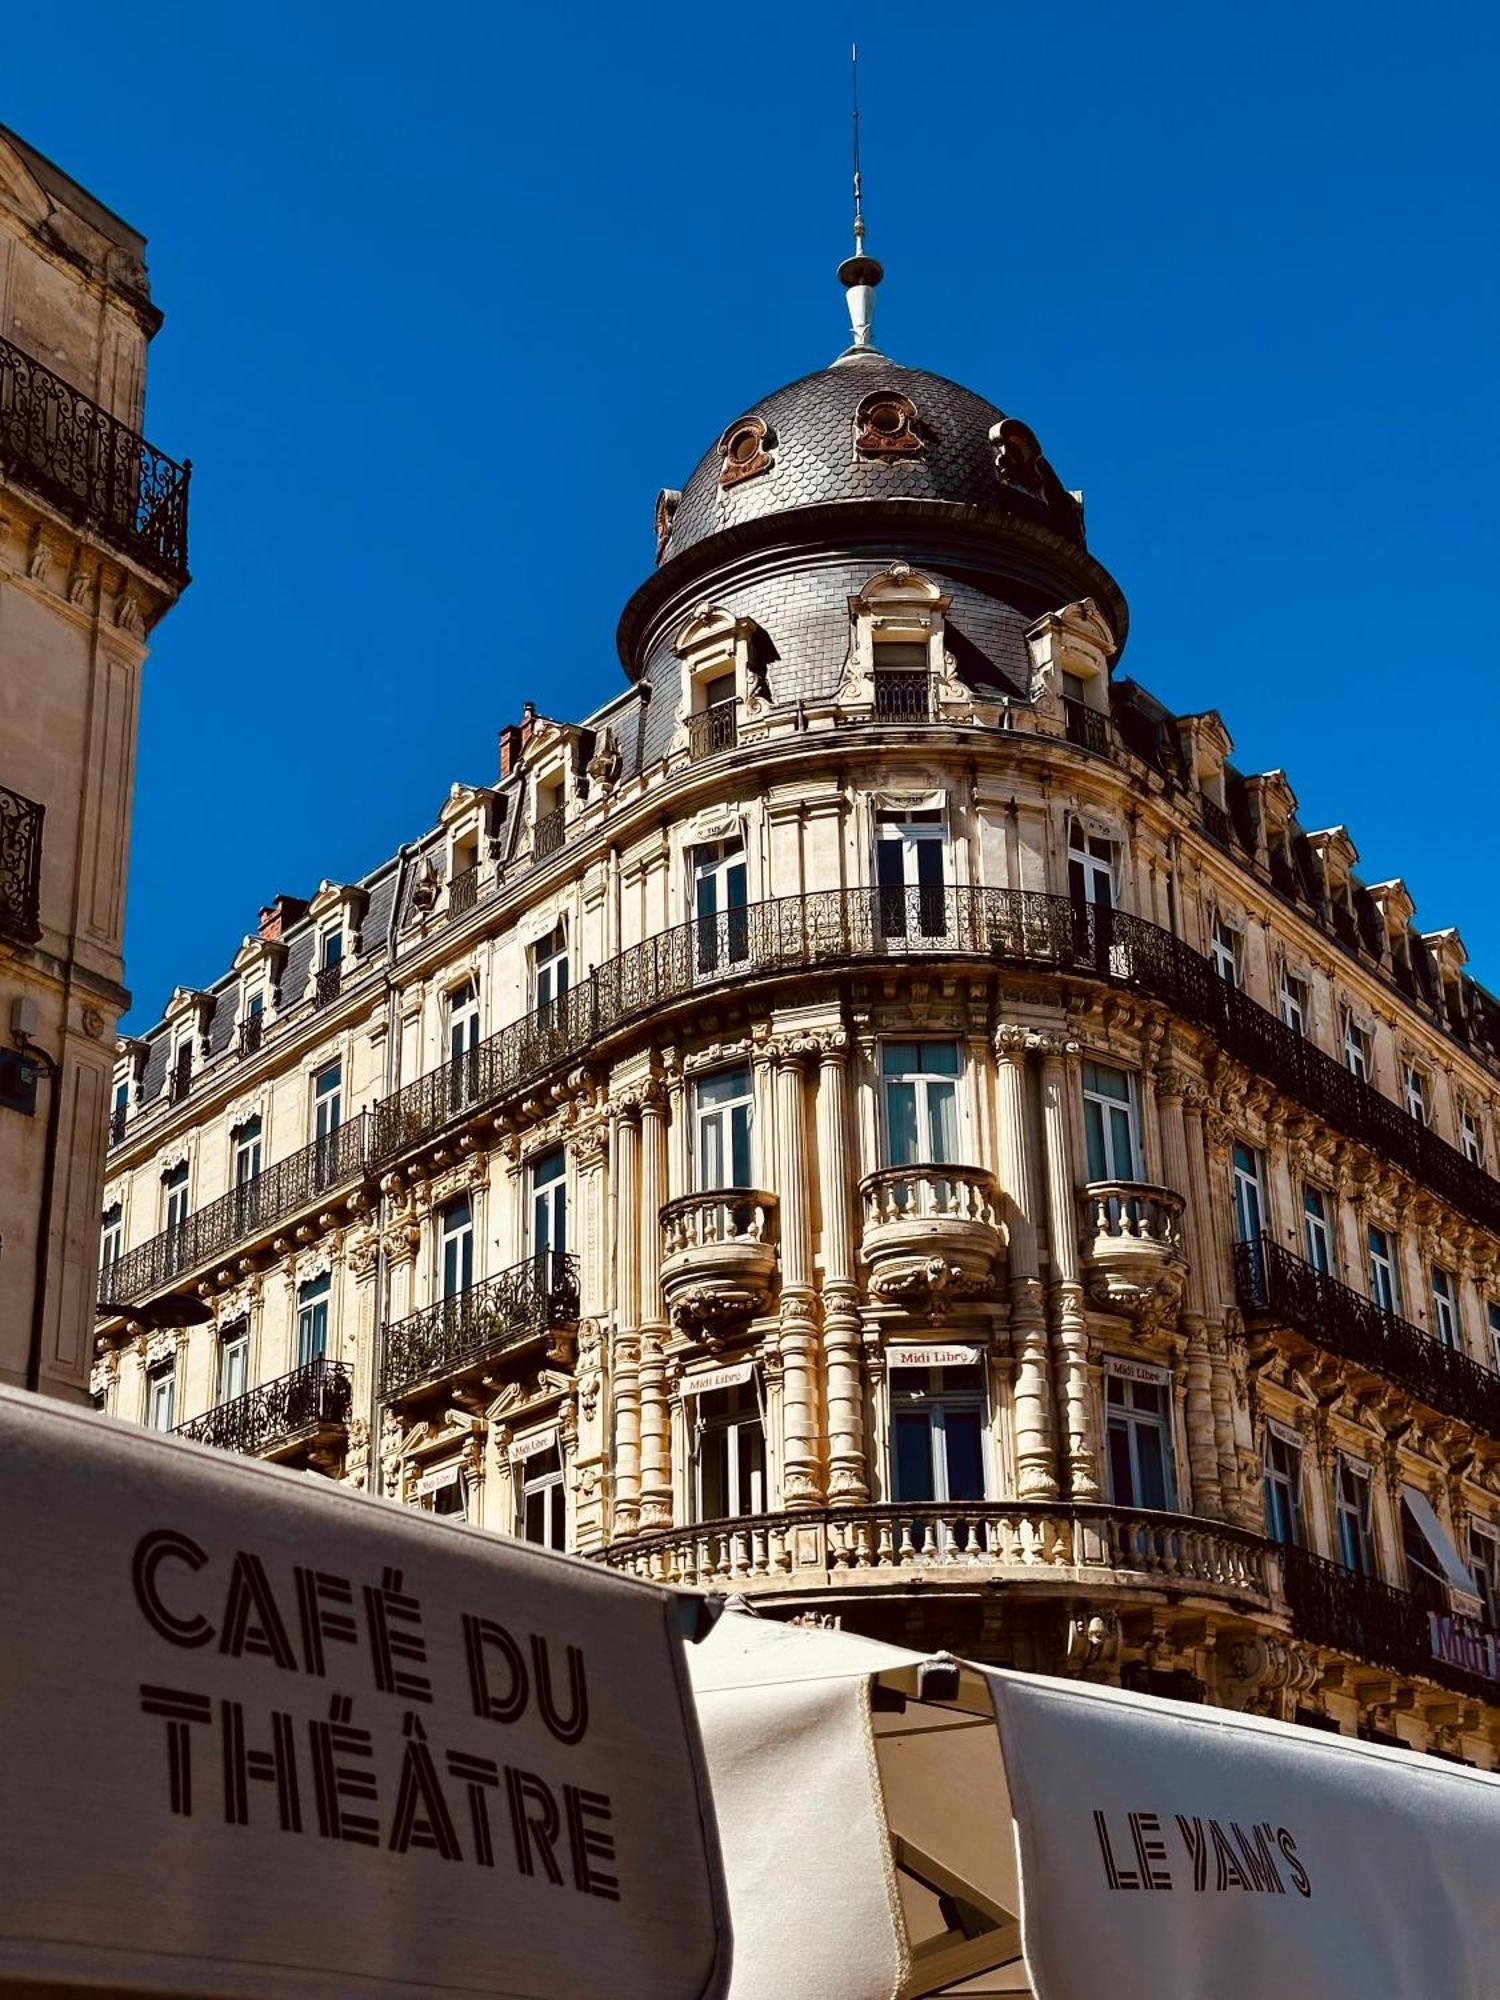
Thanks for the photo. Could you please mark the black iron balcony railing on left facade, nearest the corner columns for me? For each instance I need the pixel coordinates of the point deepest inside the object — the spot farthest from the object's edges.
(471, 1327)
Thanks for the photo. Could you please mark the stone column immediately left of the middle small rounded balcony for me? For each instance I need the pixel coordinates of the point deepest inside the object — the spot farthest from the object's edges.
(841, 1315)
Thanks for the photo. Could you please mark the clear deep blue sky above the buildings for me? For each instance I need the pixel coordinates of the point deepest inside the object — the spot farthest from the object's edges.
(453, 291)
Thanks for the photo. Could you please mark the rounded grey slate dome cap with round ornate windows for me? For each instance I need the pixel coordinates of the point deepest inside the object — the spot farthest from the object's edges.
(865, 429)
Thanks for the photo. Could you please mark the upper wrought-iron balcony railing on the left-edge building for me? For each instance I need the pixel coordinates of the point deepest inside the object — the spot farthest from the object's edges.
(93, 467)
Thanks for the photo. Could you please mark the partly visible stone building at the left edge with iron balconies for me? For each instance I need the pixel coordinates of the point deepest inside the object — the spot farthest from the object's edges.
(93, 553)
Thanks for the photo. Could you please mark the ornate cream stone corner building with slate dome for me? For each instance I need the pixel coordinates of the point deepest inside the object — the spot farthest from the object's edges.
(883, 1119)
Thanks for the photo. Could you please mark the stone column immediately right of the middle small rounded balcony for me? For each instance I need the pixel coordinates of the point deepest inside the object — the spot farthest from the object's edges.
(1037, 1475)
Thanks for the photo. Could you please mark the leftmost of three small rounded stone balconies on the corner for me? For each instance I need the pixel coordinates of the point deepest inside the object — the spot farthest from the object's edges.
(719, 1259)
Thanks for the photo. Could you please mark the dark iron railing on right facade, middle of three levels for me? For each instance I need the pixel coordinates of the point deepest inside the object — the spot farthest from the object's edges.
(1275, 1285)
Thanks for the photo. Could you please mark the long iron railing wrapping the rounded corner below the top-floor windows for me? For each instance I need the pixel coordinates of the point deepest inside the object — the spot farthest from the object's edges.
(995, 925)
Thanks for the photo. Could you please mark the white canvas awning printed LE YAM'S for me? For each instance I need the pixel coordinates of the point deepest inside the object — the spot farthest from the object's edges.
(897, 1827)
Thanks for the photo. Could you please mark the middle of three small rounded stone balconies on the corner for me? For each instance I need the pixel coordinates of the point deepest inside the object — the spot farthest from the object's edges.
(931, 1233)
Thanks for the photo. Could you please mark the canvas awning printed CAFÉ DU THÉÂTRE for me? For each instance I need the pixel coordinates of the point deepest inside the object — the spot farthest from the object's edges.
(263, 1735)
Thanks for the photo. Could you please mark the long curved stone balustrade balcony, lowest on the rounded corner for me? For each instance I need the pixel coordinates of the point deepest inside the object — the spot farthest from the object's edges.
(965, 1545)
